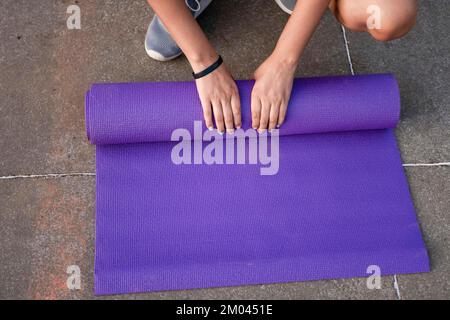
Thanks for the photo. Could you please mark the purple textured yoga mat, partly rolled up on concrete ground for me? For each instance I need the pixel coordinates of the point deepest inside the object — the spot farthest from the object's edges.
(336, 204)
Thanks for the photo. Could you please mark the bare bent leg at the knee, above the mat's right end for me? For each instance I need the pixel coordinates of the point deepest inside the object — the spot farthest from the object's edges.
(383, 19)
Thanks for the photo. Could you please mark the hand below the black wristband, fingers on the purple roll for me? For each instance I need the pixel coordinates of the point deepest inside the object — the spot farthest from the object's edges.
(220, 100)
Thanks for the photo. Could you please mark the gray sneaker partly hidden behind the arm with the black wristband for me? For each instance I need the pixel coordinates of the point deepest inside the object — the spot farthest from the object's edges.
(158, 42)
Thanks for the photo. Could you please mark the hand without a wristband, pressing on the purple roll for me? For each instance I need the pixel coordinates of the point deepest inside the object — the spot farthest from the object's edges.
(271, 92)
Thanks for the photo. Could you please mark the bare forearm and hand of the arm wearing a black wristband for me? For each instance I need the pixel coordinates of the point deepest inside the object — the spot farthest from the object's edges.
(218, 91)
